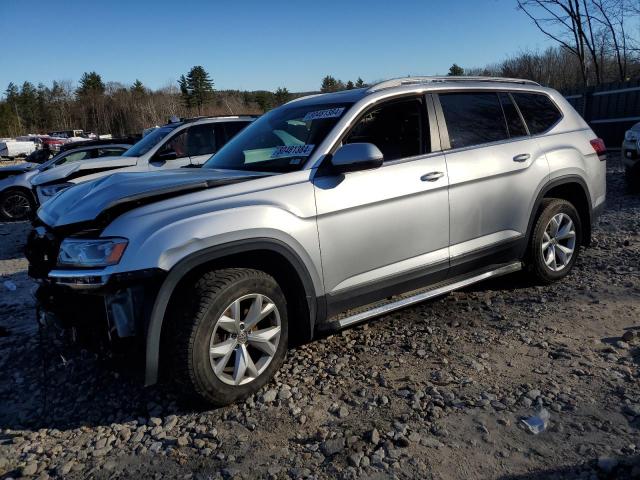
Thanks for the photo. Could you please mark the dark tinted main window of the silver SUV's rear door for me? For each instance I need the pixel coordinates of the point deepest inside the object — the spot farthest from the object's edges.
(473, 118)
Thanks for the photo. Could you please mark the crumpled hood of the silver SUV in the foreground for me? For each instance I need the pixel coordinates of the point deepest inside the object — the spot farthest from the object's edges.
(86, 201)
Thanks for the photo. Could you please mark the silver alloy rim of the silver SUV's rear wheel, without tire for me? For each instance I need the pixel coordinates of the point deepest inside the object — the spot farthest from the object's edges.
(558, 242)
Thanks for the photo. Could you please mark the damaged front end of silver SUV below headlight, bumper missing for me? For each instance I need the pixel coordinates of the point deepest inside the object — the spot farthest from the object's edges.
(102, 312)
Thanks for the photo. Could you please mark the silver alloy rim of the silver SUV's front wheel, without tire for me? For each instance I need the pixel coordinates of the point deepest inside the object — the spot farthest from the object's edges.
(245, 339)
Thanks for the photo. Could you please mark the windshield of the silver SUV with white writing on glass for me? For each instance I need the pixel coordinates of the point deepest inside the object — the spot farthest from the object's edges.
(279, 141)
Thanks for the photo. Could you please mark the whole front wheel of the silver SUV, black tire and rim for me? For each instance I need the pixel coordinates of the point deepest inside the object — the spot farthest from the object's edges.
(231, 334)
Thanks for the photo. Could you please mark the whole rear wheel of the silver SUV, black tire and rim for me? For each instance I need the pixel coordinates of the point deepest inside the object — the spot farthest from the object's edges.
(556, 240)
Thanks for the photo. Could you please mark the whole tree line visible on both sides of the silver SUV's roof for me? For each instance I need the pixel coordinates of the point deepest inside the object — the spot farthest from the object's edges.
(595, 41)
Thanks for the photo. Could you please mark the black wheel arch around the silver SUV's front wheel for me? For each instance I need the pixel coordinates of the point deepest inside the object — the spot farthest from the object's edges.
(270, 255)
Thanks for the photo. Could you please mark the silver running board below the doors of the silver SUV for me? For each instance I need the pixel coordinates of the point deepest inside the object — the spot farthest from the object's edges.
(425, 295)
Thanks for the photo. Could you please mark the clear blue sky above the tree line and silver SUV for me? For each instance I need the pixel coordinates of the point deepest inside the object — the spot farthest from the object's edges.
(248, 44)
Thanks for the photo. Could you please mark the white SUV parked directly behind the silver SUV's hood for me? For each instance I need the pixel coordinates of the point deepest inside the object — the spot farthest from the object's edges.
(186, 143)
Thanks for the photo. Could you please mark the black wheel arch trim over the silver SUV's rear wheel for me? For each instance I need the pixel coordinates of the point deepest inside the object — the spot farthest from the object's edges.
(572, 188)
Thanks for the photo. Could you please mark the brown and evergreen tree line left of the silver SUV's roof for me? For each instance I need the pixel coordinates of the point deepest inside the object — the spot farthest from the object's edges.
(113, 107)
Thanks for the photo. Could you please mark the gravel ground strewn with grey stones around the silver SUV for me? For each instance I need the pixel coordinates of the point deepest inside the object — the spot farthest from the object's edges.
(434, 391)
